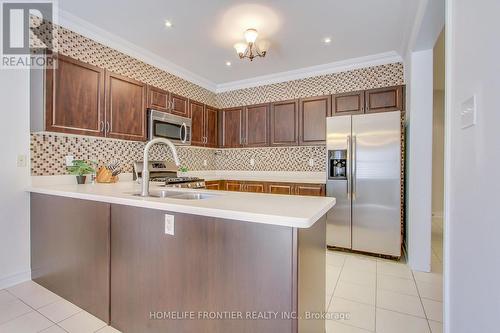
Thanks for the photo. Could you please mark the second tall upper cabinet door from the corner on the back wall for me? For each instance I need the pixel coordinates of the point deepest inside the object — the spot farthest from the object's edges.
(256, 125)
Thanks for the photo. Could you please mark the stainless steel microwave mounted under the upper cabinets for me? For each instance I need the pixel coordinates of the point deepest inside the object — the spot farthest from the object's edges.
(166, 125)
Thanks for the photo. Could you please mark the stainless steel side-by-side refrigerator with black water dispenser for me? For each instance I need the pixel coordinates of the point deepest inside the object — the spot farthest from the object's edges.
(364, 175)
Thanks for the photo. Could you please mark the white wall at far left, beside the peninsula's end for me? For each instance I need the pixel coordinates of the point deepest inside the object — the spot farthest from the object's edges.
(14, 203)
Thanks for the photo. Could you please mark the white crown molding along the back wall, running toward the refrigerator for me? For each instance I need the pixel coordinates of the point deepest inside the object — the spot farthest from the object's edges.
(302, 73)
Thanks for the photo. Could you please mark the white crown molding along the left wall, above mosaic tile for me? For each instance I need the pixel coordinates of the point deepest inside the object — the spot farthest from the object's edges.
(87, 29)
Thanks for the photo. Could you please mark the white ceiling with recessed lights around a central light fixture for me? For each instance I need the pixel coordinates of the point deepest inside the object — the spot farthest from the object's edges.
(202, 38)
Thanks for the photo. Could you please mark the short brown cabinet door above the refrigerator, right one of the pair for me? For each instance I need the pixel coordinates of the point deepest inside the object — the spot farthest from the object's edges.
(384, 99)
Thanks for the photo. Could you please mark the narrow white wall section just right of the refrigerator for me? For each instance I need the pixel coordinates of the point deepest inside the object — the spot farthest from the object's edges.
(419, 154)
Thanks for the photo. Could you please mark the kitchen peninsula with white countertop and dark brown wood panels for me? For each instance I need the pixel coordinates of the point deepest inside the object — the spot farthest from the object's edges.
(126, 259)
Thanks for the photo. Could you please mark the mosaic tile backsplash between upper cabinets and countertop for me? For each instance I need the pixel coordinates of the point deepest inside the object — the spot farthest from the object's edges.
(48, 153)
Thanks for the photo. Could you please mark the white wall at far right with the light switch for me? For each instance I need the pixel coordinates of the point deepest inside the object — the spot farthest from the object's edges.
(472, 215)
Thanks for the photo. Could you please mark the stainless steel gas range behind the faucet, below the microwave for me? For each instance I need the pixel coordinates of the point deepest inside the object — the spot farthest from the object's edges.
(164, 173)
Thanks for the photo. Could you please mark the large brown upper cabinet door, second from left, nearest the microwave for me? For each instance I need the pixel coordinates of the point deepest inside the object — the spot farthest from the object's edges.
(125, 108)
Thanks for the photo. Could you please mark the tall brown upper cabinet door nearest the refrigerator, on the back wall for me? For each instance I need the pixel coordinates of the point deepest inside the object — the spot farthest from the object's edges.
(312, 119)
